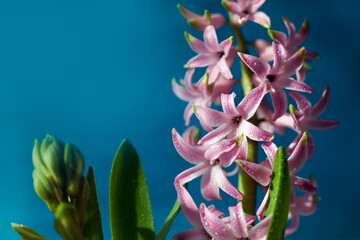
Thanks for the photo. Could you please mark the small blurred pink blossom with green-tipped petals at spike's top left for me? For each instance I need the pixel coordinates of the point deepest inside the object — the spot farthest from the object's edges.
(201, 22)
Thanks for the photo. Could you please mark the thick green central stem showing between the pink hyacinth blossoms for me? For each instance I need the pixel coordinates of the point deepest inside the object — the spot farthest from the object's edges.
(246, 185)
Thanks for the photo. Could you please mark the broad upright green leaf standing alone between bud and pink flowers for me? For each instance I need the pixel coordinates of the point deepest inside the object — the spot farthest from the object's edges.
(130, 207)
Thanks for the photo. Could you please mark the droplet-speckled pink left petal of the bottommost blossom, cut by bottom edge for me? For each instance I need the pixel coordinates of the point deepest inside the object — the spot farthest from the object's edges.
(214, 225)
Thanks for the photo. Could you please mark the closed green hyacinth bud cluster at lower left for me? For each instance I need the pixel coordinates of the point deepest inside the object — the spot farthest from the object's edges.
(59, 182)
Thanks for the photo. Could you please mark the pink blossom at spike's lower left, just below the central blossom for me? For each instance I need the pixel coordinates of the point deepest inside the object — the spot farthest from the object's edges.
(213, 176)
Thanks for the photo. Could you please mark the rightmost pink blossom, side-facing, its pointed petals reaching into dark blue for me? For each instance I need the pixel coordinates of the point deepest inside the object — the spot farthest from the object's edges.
(306, 118)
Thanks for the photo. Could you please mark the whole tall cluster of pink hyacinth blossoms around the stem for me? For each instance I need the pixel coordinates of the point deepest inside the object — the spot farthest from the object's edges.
(225, 145)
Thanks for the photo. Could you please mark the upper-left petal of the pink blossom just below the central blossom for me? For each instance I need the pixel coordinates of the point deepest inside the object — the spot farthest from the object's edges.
(189, 153)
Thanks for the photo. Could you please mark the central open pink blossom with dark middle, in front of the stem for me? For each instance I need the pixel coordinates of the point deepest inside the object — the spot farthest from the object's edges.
(229, 139)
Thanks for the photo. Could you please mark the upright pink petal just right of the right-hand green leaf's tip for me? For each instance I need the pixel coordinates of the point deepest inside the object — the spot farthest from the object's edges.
(299, 156)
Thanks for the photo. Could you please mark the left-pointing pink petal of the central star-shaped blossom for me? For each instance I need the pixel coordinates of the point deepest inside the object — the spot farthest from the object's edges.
(210, 117)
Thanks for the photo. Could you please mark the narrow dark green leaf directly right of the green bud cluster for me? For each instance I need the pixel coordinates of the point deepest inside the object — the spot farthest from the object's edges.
(92, 229)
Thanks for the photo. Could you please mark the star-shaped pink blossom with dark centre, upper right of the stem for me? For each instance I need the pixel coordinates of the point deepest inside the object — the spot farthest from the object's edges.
(278, 77)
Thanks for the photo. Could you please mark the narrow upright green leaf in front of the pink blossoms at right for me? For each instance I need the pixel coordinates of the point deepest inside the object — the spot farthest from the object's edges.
(279, 201)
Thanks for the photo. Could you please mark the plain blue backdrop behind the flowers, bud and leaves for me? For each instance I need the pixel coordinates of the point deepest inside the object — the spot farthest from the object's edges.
(94, 72)
